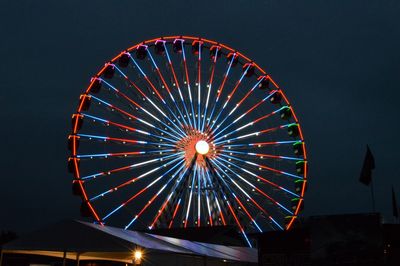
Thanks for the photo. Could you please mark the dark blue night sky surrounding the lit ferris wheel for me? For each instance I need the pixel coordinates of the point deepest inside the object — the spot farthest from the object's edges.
(337, 61)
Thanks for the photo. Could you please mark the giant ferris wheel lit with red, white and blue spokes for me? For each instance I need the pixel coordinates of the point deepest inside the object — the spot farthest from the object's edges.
(186, 132)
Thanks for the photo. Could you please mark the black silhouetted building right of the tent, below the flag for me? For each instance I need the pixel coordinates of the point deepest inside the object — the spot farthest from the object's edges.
(349, 239)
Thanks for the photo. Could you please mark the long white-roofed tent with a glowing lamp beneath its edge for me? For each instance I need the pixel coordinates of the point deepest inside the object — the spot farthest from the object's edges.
(79, 241)
